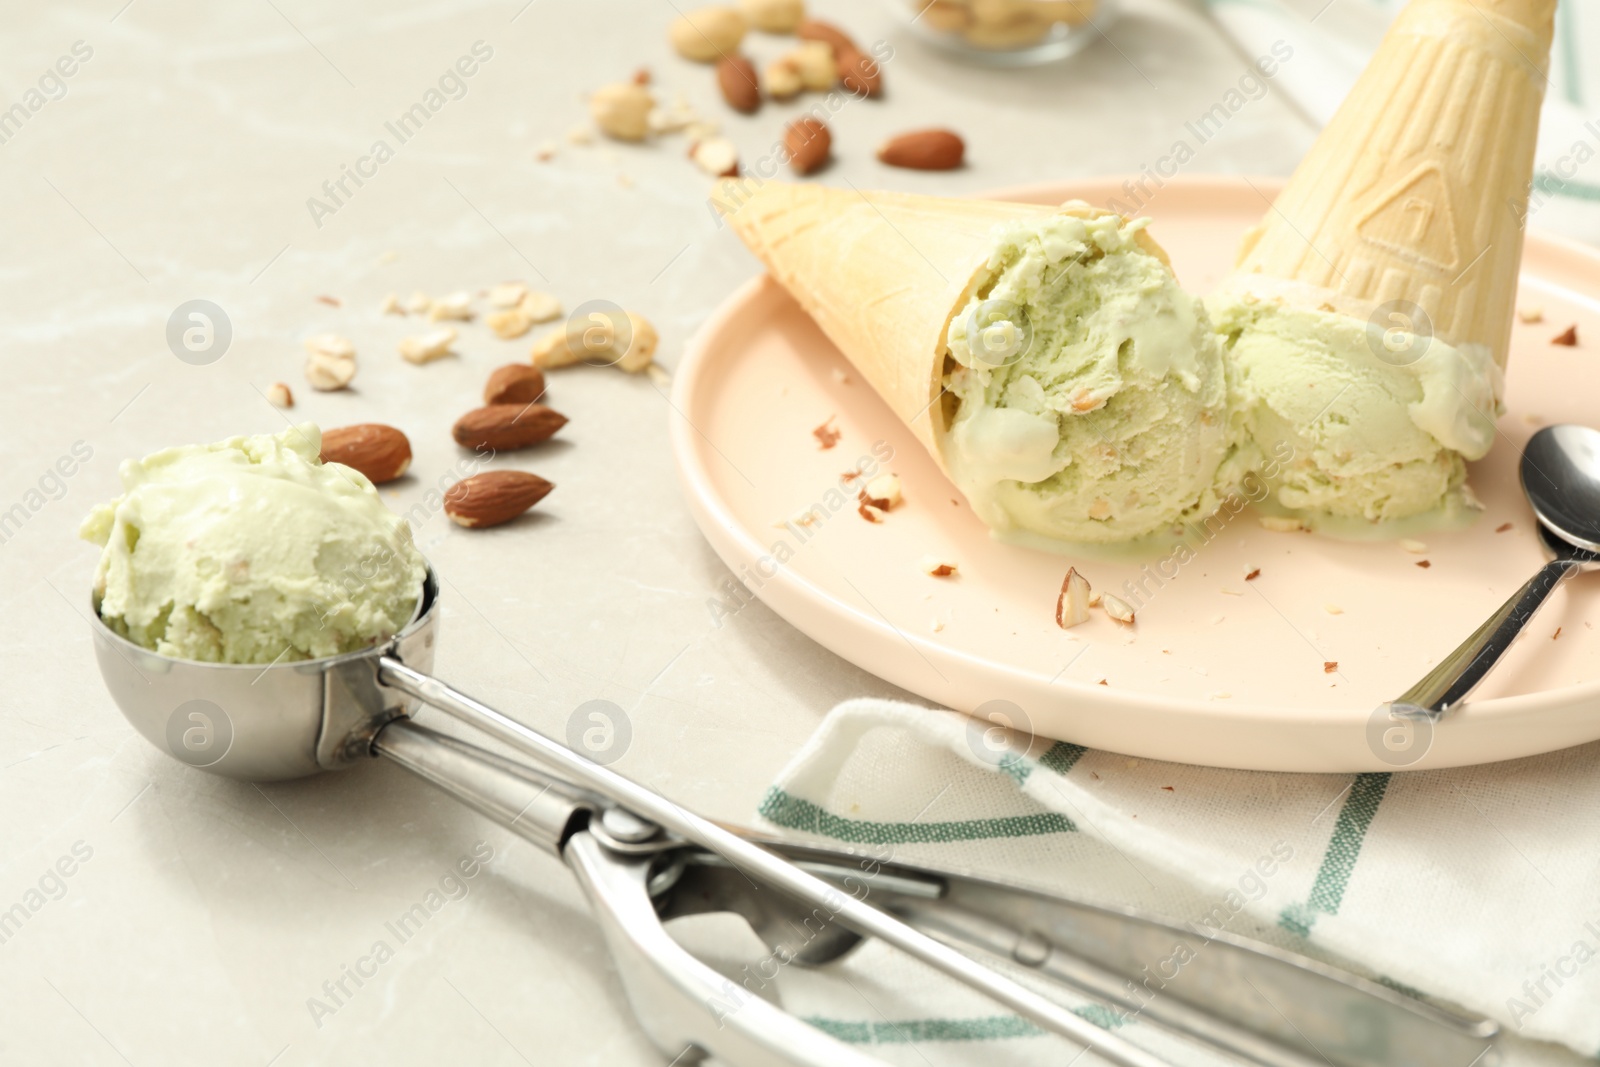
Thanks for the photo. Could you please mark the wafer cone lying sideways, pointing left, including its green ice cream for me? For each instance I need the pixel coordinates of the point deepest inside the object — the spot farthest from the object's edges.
(1046, 358)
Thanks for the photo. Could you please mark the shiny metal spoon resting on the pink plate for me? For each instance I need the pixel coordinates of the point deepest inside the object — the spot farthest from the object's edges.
(1561, 476)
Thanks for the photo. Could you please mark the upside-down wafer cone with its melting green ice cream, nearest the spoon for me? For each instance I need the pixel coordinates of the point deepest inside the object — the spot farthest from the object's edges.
(1374, 305)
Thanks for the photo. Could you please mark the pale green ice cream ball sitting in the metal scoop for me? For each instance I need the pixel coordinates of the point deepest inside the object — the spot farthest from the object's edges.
(252, 551)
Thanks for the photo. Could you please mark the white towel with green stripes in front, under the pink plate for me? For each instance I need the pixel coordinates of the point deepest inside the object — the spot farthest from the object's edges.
(1479, 887)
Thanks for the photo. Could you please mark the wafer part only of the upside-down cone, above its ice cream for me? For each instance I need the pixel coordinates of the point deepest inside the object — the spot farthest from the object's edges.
(1418, 188)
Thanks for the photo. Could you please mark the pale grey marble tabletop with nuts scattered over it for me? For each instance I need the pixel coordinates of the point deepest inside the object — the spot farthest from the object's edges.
(202, 916)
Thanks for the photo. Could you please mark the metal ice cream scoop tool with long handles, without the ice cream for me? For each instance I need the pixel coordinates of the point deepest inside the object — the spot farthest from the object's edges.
(644, 860)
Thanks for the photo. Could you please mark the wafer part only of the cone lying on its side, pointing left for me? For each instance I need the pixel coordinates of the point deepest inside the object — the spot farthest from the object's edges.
(881, 273)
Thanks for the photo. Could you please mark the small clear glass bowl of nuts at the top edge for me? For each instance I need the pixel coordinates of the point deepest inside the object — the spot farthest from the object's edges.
(1009, 33)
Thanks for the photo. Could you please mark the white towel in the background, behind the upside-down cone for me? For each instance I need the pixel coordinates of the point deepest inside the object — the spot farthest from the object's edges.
(1330, 42)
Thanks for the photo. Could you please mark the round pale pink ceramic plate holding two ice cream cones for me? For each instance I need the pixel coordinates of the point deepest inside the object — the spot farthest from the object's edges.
(1282, 673)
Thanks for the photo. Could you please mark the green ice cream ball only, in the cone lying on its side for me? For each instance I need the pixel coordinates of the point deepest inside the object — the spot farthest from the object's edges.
(1092, 401)
